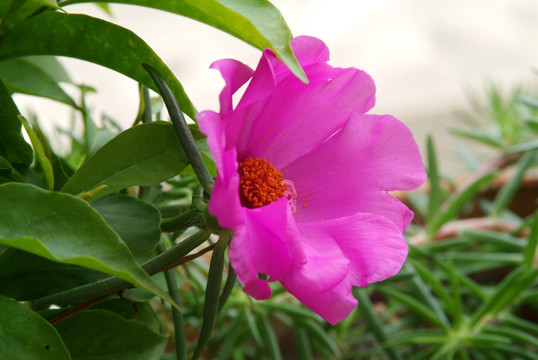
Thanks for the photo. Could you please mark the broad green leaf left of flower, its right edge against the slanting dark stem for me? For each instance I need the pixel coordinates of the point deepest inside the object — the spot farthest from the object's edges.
(144, 155)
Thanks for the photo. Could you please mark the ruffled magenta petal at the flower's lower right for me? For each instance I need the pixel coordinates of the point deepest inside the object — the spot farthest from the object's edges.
(373, 248)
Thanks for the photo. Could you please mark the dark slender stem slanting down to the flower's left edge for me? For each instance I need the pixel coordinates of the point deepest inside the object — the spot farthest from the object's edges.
(183, 131)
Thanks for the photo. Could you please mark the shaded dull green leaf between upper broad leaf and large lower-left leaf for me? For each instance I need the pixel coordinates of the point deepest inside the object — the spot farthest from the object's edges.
(136, 222)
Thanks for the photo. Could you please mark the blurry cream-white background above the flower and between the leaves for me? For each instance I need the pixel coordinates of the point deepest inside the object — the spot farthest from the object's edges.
(427, 57)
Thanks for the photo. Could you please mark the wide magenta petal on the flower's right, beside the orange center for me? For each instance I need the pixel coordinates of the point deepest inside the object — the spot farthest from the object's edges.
(370, 155)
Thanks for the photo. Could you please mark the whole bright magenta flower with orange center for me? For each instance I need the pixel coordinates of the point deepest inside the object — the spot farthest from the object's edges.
(303, 175)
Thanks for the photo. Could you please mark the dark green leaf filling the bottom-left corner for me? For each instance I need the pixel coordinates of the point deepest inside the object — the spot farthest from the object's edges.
(26, 335)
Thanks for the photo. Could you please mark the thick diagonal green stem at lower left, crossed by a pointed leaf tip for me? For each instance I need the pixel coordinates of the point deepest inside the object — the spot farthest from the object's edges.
(113, 284)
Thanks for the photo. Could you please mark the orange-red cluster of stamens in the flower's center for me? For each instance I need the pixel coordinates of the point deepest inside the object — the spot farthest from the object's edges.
(260, 183)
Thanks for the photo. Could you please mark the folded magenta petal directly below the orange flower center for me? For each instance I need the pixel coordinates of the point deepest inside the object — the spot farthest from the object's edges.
(266, 244)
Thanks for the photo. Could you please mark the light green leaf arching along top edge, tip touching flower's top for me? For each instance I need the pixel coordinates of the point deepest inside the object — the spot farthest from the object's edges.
(257, 22)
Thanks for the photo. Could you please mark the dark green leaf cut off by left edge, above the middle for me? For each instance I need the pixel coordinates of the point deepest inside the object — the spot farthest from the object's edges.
(13, 147)
